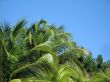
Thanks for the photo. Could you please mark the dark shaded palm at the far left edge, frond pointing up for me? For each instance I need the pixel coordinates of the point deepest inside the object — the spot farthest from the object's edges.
(8, 40)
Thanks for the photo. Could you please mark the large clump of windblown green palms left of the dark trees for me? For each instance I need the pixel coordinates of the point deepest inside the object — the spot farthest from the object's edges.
(25, 53)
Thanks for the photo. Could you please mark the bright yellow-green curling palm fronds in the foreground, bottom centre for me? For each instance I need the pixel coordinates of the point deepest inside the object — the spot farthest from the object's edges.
(46, 70)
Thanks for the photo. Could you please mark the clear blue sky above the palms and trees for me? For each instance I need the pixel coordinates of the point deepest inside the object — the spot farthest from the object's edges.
(87, 20)
